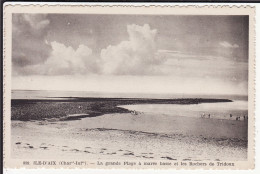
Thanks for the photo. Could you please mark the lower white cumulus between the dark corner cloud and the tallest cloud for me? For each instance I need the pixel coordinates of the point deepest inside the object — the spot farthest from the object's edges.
(65, 60)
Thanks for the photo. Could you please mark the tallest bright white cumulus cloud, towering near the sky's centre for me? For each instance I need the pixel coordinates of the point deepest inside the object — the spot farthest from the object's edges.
(135, 56)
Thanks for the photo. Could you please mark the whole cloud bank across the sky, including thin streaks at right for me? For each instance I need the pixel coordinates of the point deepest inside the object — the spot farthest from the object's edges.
(136, 55)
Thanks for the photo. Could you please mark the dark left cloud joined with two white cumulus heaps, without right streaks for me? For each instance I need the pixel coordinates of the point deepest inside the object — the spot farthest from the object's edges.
(136, 56)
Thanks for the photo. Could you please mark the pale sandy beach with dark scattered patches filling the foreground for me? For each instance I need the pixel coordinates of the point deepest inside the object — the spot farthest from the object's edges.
(128, 136)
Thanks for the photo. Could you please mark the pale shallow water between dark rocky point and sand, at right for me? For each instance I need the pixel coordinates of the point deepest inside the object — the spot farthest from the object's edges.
(216, 110)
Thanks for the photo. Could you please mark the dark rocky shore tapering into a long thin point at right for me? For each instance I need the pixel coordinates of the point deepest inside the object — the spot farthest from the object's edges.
(39, 109)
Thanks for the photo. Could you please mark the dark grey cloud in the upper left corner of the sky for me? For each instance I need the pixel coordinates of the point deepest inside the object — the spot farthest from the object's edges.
(28, 39)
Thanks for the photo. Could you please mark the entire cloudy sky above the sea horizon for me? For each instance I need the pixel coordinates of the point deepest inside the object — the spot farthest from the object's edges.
(130, 53)
